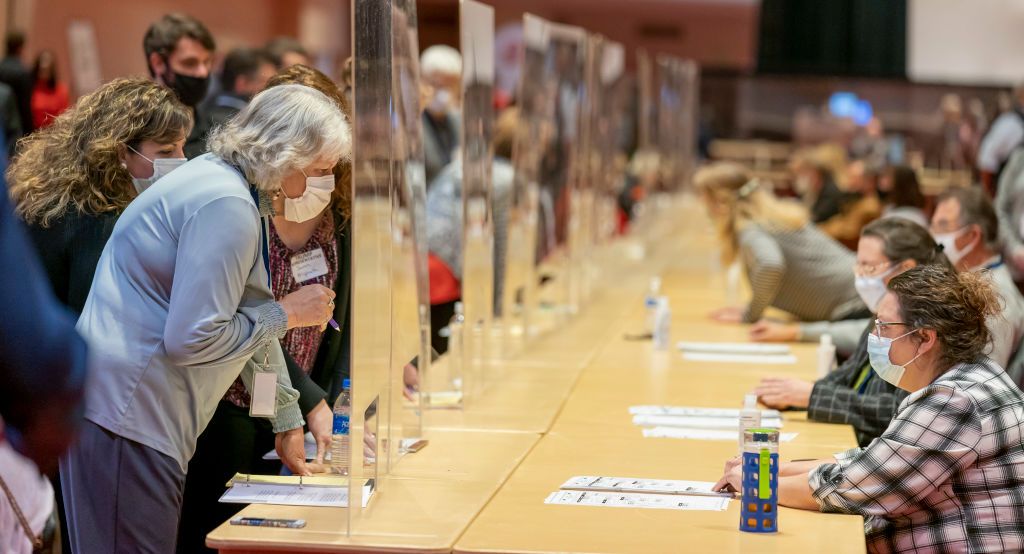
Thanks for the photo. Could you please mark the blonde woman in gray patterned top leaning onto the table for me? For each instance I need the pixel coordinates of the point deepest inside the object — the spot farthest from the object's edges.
(791, 265)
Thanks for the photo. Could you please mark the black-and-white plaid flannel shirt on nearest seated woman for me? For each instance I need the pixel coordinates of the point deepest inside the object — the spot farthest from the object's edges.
(948, 476)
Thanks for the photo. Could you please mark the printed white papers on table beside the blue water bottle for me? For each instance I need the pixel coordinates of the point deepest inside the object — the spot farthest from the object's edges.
(633, 493)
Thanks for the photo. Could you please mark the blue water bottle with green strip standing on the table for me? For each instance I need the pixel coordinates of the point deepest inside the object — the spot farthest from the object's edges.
(759, 512)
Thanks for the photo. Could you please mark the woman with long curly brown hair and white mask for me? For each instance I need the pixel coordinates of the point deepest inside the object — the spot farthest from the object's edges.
(73, 180)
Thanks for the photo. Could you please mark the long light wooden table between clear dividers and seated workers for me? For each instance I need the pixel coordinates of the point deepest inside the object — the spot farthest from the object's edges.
(561, 409)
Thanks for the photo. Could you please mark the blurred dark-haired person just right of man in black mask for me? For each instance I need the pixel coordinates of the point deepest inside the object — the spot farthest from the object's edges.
(244, 73)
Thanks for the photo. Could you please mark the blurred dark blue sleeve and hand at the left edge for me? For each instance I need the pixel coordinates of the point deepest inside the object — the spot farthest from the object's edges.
(44, 367)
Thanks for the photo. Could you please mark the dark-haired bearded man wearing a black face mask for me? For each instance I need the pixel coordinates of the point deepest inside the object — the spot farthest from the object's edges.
(180, 56)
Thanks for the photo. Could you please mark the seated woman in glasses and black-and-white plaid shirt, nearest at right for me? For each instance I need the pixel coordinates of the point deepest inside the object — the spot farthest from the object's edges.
(946, 476)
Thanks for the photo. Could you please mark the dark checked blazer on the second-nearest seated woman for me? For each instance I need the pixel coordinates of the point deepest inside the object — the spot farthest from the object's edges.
(870, 410)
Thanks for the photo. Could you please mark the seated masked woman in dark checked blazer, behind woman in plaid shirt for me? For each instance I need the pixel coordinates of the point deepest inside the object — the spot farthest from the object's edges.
(854, 395)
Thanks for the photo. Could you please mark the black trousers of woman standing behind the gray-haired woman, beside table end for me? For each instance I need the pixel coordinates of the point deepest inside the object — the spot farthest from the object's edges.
(233, 443)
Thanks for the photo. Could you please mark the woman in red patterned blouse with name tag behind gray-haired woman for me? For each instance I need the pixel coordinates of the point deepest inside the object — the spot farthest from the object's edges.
(235, 443)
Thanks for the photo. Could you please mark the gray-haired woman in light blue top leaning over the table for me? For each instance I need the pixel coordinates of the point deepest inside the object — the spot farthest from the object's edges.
(181, 307)
